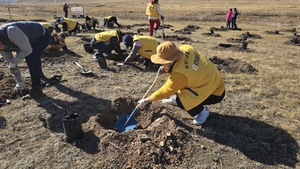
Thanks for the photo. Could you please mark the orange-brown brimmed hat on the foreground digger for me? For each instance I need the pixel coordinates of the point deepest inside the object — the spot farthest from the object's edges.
(167, 52)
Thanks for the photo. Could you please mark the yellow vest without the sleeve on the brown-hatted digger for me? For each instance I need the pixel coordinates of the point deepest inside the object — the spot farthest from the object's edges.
(203, 77)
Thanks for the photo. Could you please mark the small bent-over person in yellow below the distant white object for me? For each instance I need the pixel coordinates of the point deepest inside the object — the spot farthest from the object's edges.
(69, 26)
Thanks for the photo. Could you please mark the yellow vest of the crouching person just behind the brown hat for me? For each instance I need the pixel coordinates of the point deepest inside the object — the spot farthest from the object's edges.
(149, 45)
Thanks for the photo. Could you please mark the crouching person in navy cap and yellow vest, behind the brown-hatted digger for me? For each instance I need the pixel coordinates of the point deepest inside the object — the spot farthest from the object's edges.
(142, 45)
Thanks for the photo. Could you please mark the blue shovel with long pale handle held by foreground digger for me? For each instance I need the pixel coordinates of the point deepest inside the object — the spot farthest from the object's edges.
(127, 122)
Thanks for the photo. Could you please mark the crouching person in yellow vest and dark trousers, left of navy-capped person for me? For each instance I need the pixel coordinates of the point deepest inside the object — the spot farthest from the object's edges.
(105, 42)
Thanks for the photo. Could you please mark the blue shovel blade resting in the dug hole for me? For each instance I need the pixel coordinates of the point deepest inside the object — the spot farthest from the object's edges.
(121, 124)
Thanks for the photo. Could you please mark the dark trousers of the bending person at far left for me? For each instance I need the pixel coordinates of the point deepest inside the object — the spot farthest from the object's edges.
(33, 60)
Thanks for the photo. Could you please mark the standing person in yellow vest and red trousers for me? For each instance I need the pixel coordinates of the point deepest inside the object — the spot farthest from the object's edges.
(154, 15)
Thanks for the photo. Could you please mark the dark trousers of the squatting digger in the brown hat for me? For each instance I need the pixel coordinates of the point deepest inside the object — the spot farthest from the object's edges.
(212, 99)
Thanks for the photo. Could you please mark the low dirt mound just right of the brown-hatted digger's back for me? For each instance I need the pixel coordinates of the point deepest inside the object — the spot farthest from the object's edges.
(233, 66)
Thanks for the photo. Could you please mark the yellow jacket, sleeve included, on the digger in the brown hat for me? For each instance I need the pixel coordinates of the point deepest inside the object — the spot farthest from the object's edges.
(193, 77)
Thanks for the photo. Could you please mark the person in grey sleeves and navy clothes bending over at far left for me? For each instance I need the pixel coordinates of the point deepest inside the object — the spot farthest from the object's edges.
(29, 39)
